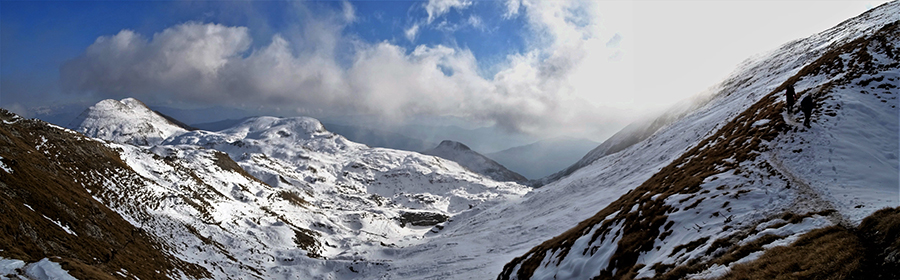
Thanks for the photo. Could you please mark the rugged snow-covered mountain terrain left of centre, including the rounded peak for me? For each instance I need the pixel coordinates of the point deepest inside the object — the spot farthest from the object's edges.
(312, 193)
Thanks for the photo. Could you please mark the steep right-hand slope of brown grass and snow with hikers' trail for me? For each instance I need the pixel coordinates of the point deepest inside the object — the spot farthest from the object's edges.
(761, 180)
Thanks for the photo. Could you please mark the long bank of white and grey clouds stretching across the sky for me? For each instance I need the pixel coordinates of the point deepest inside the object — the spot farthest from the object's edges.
(565, 83)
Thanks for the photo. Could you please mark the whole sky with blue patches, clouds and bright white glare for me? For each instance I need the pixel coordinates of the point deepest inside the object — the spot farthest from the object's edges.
(545, 68)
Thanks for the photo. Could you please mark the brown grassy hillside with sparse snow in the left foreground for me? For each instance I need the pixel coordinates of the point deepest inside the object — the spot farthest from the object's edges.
(53, 191)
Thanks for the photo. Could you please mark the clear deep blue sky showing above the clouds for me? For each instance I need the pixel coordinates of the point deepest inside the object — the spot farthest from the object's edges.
(38, 36)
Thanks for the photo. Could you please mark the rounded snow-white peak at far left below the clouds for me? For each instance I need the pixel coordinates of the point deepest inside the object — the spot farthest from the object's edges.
(126, 121)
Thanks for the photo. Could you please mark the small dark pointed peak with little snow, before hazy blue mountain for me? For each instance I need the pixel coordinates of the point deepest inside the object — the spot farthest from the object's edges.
(474, 161)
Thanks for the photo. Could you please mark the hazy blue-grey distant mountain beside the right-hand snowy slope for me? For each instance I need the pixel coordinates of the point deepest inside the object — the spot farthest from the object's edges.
(542, 158)
